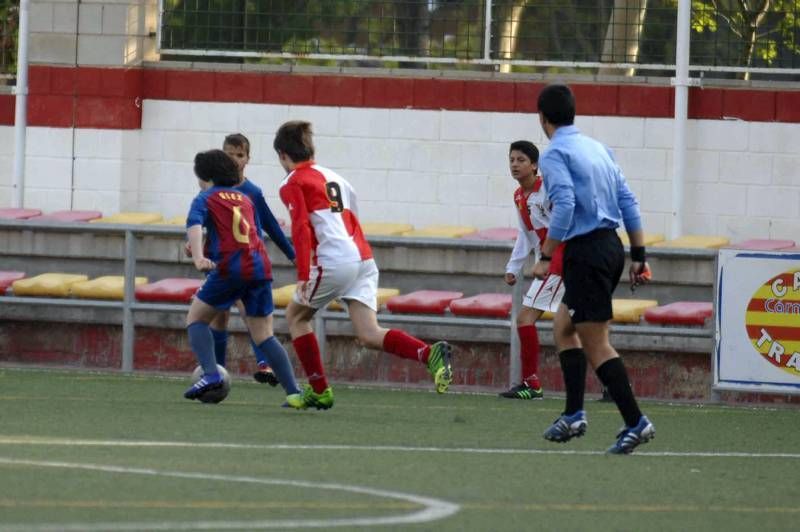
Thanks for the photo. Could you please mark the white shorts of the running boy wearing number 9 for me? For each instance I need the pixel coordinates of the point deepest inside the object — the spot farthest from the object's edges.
(351, 280)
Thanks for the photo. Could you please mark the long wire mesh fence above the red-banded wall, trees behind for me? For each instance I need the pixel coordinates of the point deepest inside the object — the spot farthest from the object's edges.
(728, 35)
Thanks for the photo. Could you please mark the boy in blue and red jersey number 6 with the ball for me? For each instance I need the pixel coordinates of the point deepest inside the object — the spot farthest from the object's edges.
(238, 269)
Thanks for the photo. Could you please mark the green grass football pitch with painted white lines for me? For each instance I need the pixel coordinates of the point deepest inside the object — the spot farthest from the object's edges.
(88, 451)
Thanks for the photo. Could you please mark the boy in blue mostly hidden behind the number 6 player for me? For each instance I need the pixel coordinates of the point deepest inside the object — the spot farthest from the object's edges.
(237, 146)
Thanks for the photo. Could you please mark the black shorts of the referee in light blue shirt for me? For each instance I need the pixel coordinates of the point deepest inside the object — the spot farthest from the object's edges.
(593, 264)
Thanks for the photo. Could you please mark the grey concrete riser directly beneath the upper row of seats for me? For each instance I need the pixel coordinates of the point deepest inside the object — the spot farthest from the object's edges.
(471, 266)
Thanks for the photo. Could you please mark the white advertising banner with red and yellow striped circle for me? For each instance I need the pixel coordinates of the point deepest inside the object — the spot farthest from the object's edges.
(758, 321)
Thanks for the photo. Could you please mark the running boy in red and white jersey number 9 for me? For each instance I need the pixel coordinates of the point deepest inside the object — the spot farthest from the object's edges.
(334, 261)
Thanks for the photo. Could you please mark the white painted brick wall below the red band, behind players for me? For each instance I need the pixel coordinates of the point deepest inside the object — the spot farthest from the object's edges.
(419, 167)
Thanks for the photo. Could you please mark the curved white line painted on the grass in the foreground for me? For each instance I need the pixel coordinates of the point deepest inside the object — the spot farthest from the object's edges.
(433, 509)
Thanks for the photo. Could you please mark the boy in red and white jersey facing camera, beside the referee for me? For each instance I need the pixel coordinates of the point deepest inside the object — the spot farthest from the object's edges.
(533, 209)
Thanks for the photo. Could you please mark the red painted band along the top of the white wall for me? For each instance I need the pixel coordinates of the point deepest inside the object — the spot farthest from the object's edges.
(111, 97)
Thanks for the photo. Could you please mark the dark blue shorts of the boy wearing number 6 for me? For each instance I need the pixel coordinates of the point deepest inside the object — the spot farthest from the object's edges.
(223, 293)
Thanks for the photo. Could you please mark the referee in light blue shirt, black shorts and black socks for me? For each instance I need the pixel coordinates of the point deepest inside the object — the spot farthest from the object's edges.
(590, 198)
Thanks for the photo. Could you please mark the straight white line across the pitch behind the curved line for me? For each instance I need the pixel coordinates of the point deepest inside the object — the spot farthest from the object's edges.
(32, 440)
